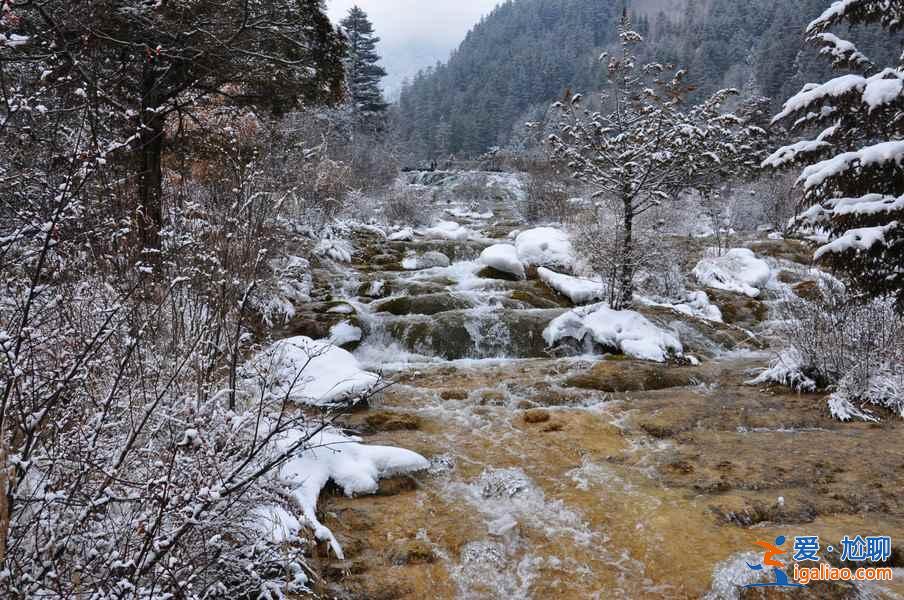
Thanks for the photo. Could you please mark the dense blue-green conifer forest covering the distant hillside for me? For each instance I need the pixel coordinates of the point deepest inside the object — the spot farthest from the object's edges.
(526, 53)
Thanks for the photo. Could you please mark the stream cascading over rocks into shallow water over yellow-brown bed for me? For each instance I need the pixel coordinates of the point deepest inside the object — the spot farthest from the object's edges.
(574, 476)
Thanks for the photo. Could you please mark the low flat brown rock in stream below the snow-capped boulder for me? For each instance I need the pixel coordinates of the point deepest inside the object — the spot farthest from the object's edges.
(632, 375)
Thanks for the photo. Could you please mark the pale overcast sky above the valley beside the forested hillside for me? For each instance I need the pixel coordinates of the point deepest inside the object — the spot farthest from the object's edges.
(415, 33)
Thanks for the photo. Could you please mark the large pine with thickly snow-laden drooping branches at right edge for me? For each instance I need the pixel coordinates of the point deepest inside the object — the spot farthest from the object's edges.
(856, 195)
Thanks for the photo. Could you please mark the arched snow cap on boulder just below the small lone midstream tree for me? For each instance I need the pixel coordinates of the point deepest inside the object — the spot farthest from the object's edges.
(626, 330)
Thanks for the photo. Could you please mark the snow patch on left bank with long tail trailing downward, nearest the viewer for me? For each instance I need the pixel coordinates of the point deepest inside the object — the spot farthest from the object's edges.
(355, 467)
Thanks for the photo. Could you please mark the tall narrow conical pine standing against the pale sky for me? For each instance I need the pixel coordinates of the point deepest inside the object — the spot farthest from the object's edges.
(362, 71)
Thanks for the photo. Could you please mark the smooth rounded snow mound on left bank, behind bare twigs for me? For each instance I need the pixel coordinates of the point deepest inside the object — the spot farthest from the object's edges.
(311, 372)
